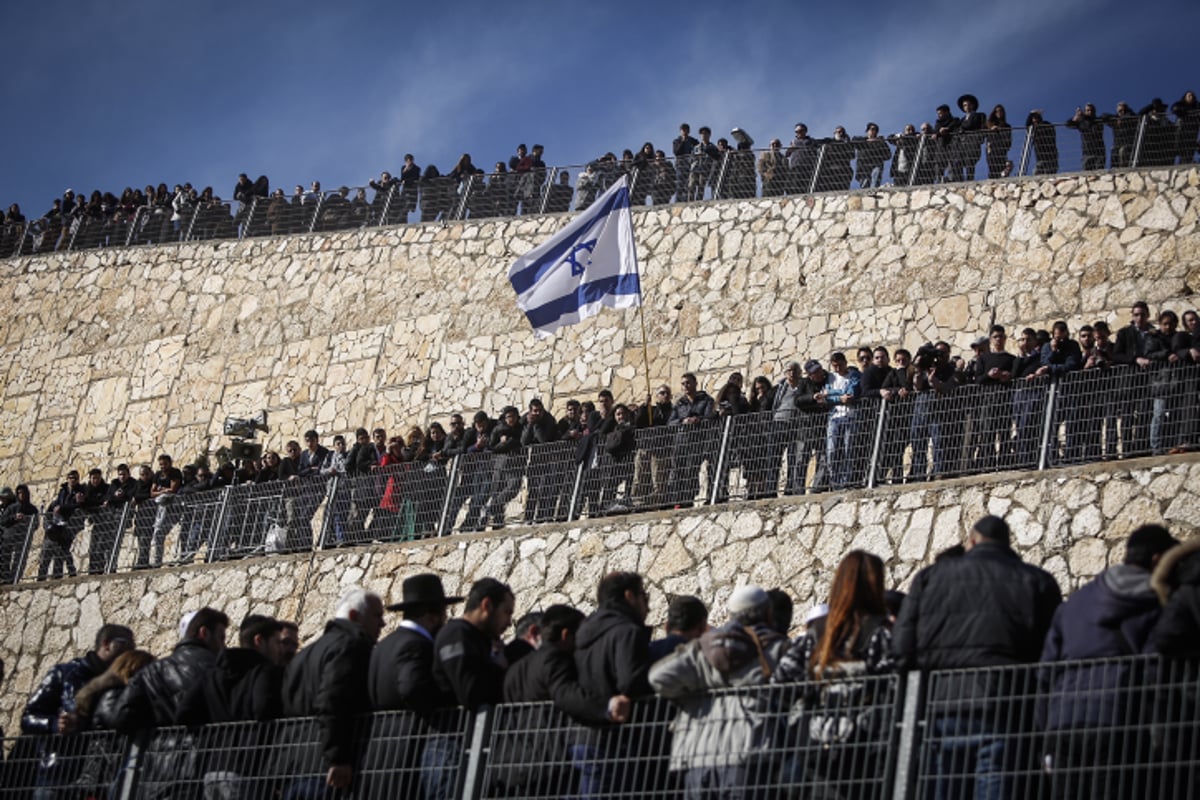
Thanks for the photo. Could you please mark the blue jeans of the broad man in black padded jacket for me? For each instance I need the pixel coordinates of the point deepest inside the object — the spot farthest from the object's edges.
(968, 749)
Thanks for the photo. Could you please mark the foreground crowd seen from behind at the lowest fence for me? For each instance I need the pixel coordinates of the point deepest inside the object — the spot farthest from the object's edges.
(977, 606)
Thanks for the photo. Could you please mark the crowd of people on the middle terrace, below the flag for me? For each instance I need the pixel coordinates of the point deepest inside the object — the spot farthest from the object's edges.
(1130, 394)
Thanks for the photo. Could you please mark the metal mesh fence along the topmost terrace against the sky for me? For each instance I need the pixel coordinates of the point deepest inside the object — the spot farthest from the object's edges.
(818, 166)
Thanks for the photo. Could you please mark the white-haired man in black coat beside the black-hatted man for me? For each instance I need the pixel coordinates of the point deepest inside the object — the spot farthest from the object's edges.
(329, 681)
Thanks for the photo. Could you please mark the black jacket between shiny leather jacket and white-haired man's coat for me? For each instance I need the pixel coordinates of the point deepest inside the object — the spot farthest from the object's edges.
(242, 685)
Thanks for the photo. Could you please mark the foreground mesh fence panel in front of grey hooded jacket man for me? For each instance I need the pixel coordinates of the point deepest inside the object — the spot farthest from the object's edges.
(796, 741)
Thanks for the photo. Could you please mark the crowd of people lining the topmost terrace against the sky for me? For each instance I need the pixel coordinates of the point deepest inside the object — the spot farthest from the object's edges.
(950, 148)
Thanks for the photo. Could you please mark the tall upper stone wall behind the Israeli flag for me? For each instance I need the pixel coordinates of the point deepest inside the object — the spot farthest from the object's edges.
(117, 356)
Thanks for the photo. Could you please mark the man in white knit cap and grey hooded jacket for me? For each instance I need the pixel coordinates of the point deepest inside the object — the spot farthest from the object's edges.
(723, 742)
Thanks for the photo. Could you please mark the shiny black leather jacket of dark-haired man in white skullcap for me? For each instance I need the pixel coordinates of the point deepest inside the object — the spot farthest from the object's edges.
(152, 700)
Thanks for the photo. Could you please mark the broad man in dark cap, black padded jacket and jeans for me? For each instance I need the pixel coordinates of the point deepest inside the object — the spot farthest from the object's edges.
(987, 609)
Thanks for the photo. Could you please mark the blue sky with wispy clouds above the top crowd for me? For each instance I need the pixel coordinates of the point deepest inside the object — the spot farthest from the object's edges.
(106, 95)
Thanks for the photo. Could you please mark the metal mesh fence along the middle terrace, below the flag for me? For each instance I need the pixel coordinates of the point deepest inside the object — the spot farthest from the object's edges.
(1081, 417)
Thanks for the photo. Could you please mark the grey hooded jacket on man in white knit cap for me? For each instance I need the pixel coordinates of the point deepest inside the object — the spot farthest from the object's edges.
(716, 727)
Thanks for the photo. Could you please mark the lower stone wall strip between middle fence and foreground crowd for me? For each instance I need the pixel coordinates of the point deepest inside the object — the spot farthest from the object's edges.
(1071, 521)
